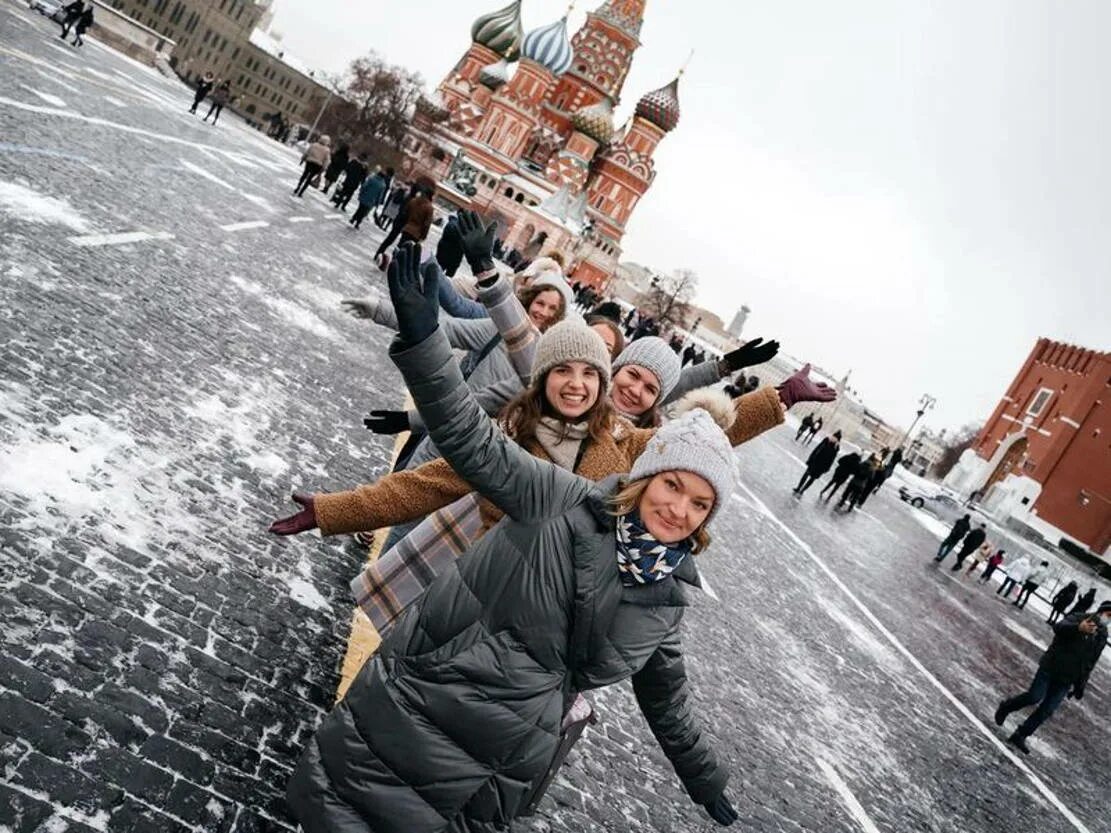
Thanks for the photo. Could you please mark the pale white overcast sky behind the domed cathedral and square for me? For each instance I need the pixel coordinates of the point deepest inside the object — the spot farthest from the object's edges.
(916, 192)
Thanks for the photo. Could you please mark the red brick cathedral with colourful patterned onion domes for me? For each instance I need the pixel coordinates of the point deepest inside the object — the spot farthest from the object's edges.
(523, 131)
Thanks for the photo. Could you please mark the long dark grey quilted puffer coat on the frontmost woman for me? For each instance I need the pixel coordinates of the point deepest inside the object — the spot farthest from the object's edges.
(448, 727)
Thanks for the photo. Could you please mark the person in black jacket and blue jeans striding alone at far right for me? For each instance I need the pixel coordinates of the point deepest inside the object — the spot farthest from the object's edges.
(1064, 671)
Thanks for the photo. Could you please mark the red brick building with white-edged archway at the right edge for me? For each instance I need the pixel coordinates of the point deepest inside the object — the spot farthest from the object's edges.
(1044, 459)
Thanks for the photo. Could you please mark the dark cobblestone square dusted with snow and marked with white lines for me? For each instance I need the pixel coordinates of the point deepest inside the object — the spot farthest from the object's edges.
(163, 659)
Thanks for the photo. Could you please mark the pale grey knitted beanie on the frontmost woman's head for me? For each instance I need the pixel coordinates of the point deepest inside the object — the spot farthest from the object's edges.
(693, 444)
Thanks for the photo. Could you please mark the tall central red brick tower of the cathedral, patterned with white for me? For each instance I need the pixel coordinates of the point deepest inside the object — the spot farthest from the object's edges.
(604, 49)
